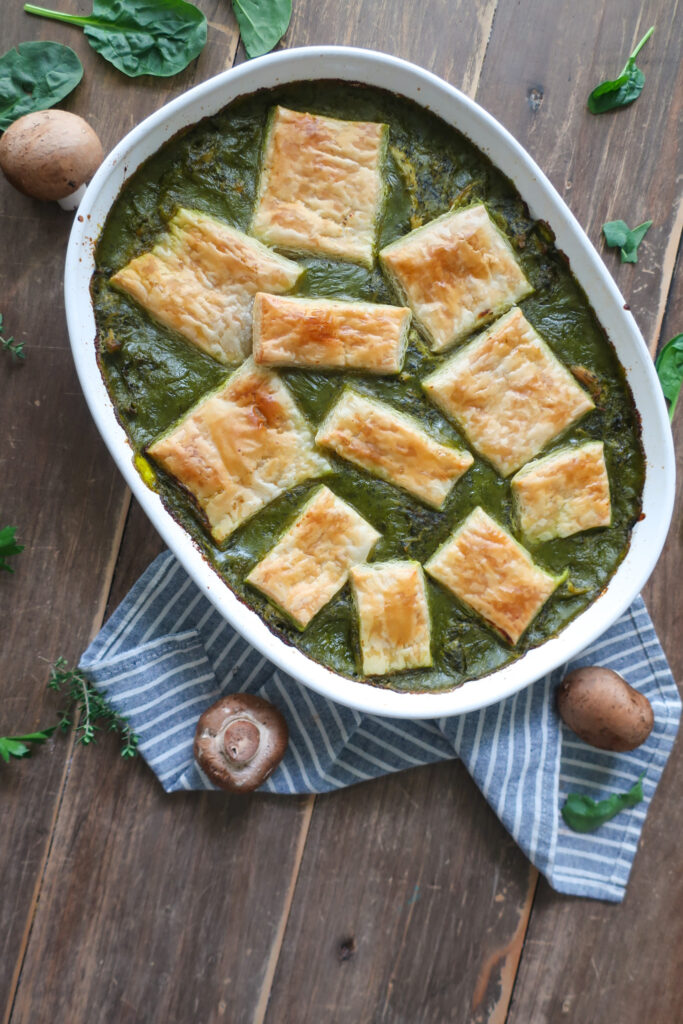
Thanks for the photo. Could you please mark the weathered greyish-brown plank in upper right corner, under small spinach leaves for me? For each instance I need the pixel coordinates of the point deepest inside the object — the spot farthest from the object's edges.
(626, 165)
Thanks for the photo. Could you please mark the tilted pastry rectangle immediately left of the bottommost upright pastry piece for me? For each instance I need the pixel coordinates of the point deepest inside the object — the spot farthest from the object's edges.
(312, 561)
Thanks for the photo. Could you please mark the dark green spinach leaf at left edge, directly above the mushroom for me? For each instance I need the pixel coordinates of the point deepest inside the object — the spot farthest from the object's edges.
(35, 76)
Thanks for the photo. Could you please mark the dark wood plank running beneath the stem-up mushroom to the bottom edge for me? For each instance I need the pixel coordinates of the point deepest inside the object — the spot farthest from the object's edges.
(174, 914)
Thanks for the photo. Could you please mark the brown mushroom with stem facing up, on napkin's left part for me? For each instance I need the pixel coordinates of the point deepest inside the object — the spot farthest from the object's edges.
(239, 742)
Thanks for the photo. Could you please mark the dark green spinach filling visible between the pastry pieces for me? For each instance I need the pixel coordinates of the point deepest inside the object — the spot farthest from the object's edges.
(155, 376)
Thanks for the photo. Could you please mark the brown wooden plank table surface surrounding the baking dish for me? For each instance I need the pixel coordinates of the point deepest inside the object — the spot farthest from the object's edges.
(402, 901)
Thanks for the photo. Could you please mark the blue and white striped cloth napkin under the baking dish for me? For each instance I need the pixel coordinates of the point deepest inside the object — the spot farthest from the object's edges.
(166, 655)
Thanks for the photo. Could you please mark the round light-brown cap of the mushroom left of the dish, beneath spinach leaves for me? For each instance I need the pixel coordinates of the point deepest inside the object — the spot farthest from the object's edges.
(50, 154)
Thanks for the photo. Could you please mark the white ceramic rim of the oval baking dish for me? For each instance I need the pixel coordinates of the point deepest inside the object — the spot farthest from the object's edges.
(545, 204)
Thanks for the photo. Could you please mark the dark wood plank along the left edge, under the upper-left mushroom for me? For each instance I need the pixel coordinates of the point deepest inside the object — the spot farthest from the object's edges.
(60, 488)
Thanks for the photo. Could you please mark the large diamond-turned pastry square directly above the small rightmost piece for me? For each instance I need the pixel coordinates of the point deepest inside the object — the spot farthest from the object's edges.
(508, 393)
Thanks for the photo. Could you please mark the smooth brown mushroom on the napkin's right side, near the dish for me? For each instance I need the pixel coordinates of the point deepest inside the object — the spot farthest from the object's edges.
(604, 710)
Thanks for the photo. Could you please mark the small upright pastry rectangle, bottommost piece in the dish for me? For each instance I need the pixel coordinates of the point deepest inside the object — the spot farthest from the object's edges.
(394, 617)
